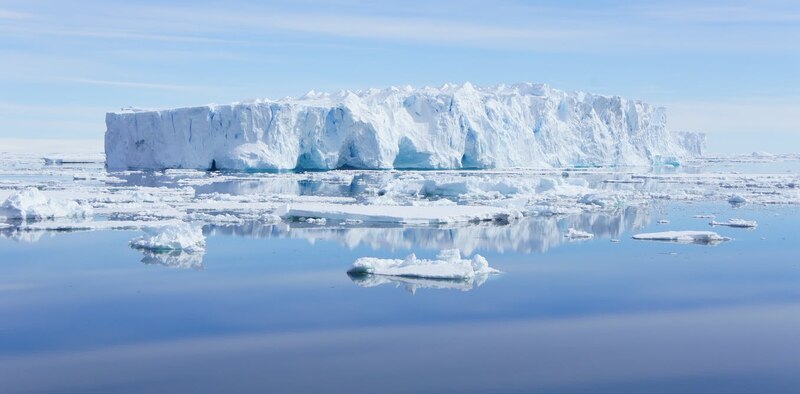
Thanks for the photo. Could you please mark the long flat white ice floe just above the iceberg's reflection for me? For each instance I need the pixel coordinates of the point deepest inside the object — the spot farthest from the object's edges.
(399, 214)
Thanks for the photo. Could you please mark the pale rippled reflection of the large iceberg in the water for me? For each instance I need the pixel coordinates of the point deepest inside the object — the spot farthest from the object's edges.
(532, 234)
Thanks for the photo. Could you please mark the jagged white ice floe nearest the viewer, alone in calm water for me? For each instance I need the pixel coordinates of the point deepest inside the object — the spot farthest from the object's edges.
(448, 265)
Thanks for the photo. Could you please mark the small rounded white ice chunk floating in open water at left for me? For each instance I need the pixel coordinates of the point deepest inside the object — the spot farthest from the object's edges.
(178, 237)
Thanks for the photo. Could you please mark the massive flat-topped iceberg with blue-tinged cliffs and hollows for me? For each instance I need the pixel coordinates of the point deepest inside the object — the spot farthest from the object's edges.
(451, 127)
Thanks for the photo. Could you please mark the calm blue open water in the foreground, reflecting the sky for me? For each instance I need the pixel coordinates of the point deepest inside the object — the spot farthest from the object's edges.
(270, 308)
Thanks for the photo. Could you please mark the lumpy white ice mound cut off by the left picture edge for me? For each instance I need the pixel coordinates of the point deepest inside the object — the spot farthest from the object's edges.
(31, 204)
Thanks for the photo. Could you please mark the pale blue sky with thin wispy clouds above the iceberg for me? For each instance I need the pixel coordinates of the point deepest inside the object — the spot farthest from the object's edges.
(722, 67)
